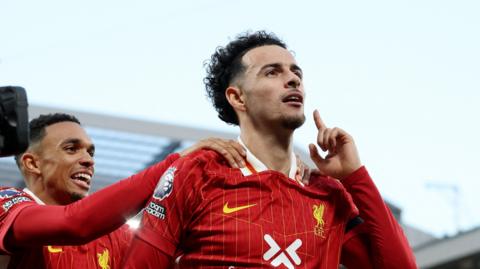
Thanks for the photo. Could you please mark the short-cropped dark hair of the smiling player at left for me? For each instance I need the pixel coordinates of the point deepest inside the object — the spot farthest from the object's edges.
(37, 127)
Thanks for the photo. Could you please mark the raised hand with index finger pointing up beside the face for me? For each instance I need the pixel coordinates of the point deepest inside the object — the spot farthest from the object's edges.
(342, 158)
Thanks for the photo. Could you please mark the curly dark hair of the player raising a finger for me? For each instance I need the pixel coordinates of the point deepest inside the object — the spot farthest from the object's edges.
(226, 64)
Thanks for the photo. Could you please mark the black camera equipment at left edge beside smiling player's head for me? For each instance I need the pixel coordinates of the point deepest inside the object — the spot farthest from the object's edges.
(13, 120)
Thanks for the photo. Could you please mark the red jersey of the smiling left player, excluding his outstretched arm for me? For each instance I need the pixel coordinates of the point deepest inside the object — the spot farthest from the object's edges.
(105, 252)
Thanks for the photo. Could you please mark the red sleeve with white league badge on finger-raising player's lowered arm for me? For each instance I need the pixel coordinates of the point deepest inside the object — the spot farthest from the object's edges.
(167, 214)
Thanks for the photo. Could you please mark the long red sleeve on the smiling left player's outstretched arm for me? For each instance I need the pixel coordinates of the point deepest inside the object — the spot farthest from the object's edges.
(89, 218)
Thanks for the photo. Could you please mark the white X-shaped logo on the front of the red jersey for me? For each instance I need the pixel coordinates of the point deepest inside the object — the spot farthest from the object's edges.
(283, 257)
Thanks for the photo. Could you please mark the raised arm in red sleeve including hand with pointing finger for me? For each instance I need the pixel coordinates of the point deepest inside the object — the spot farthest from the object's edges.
(379, 241)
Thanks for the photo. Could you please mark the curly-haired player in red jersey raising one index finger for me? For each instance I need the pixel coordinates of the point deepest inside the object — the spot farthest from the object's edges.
(206, 214)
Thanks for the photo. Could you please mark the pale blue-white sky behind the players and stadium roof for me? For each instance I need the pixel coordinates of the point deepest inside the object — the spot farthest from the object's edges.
(403, 77)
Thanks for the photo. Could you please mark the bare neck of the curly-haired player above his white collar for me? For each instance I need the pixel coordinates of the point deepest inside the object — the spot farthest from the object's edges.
(271, 147)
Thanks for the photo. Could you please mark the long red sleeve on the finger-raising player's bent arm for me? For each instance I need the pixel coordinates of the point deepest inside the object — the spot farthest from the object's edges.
(379, 242)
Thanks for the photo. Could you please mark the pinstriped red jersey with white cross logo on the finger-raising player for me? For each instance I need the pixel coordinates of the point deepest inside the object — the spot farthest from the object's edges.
(206, 214)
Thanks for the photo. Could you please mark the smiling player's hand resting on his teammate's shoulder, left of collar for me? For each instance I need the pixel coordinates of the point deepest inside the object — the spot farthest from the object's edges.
(230, 149)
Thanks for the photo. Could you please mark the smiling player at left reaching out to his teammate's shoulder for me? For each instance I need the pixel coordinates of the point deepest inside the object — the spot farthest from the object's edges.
(58, 168)
